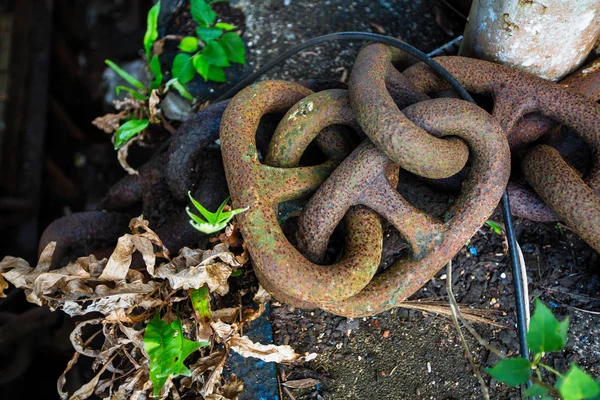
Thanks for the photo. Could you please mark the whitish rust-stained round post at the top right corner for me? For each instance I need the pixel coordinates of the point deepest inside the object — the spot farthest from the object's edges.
(548, 38)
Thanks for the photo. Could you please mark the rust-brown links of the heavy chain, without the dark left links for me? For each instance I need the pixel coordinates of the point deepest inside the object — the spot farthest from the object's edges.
(430, 138)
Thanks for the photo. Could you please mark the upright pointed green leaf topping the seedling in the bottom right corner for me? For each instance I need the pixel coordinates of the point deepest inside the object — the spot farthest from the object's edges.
(545, 332)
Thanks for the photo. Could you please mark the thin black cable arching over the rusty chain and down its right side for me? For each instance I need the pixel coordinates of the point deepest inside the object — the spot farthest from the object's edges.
(510, 233)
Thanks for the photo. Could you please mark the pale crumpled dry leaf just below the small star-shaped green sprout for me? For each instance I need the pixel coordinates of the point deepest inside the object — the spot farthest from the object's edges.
(191, 269)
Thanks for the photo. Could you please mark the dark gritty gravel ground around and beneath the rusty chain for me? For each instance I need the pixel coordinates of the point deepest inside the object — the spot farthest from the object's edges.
(402, 354)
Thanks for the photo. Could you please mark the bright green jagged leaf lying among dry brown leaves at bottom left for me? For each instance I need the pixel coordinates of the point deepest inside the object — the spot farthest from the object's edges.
(167, 349)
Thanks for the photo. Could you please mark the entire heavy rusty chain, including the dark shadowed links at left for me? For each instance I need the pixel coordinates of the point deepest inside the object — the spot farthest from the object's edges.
(432, 138)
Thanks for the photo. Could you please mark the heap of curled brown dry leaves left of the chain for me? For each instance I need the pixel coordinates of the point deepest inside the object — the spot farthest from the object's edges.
(162, 336)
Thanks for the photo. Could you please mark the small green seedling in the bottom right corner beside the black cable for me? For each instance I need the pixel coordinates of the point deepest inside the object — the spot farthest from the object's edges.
(546, 334)
